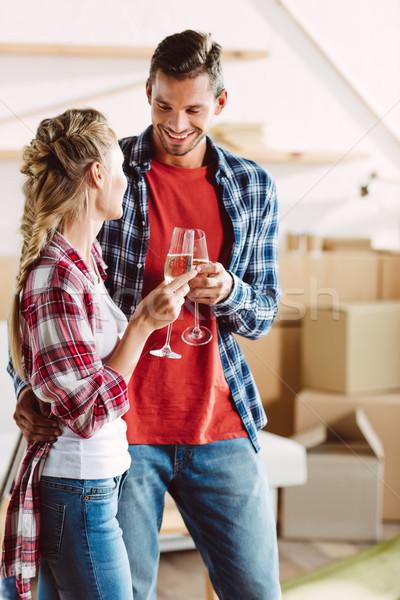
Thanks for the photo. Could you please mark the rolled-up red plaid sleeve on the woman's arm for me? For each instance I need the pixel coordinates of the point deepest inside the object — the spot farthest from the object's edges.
(66, 369)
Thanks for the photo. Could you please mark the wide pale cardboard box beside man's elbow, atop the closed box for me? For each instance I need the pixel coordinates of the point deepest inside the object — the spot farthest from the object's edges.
(325, 278)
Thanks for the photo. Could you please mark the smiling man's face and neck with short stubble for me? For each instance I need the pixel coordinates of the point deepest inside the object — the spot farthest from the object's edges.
(182, 113)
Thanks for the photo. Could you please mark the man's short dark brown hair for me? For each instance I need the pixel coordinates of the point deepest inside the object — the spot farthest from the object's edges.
(187, 55)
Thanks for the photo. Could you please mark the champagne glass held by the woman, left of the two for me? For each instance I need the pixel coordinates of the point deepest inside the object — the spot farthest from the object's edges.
(178, 261)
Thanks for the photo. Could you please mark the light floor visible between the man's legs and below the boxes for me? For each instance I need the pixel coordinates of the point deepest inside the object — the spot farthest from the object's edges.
(181, 575)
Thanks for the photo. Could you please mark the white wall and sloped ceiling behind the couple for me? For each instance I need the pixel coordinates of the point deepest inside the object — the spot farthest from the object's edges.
(294, 91)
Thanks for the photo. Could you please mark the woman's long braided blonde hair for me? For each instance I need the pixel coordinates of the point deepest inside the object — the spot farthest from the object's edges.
(56, 165)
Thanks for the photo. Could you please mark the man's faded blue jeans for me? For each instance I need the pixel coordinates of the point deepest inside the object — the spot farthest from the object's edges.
(222, 493)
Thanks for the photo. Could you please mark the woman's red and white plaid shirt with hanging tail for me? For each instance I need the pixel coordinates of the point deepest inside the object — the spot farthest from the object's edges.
(60, 321)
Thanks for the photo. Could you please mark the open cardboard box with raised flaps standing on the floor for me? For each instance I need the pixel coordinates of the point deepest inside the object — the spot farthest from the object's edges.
(342, 498)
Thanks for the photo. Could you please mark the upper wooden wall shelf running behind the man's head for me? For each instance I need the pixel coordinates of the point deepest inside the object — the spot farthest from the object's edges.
(144, 52)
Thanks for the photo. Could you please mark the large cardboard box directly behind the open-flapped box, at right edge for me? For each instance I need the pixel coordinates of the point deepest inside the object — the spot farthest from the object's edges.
(383, 411)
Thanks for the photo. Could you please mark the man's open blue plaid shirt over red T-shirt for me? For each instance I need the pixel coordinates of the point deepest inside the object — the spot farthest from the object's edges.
(249, 196)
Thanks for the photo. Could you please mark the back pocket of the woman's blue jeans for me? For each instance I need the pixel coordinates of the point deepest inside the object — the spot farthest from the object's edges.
(51, 528)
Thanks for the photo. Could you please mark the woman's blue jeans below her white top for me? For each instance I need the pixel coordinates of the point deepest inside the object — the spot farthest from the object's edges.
(82, 554)
